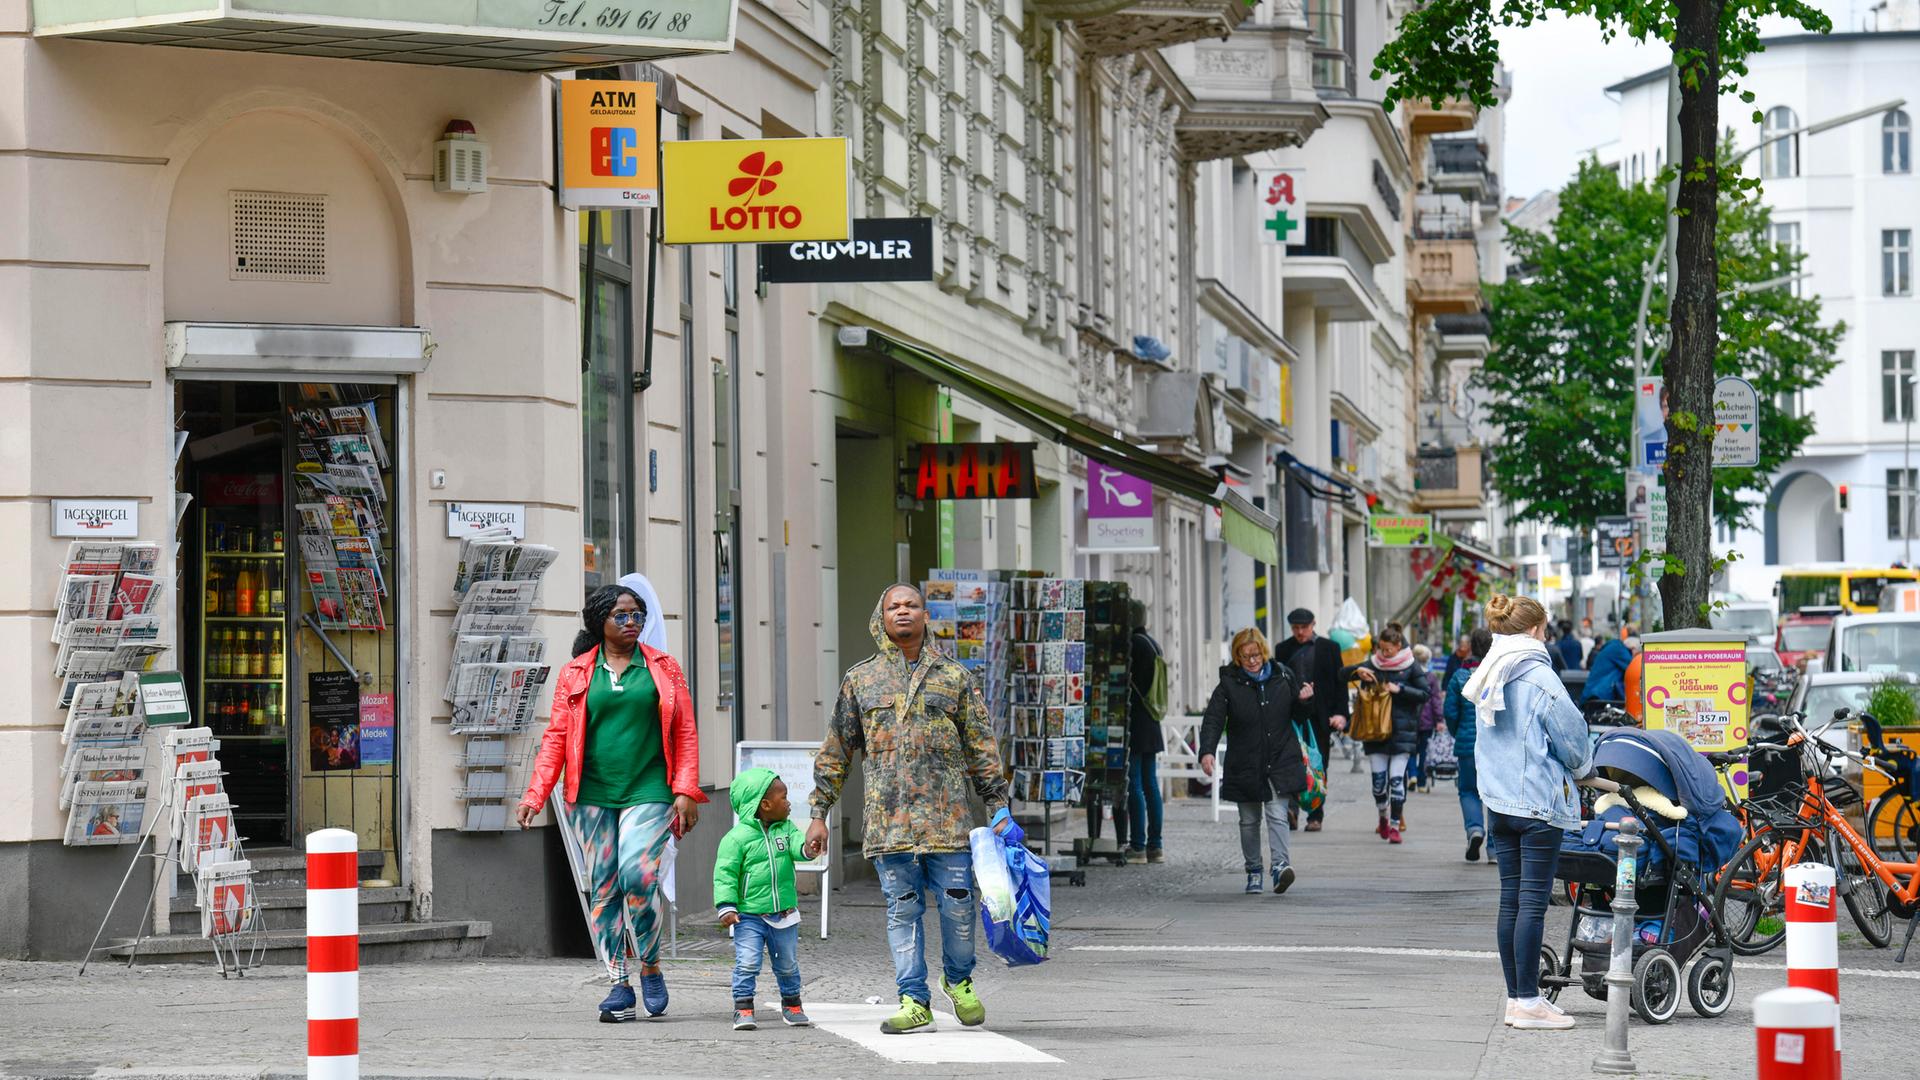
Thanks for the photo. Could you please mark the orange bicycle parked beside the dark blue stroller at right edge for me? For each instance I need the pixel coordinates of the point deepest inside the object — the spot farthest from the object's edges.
(1802, 822)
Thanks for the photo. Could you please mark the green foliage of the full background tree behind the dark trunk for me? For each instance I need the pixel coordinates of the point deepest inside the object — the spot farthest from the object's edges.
(1560, 376)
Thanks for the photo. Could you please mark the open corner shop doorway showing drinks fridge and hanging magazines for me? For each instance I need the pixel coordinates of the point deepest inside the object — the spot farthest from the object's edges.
(291, 624)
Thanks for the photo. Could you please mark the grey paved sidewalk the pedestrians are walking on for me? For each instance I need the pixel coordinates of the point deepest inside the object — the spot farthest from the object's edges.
(1378, 964)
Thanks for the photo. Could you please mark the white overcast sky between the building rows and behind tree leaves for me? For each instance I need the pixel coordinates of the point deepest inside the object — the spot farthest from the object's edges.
(1560, 109)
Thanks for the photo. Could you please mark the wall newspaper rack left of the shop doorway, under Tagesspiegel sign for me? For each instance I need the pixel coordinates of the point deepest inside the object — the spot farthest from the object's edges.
(108, 635)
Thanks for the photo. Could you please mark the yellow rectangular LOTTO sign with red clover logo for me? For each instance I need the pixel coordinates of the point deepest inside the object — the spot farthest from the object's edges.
(748, 191)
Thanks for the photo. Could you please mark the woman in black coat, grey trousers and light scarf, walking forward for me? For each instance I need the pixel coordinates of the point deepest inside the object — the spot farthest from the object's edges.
(1264, 770)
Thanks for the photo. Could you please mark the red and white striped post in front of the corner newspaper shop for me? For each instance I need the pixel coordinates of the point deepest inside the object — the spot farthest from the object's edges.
(333, 956)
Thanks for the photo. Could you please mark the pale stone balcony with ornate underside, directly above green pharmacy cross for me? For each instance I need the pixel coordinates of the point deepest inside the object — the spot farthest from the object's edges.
(1251, 93)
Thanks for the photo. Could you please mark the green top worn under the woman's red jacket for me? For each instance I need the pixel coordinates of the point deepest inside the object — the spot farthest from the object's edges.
(625, 760)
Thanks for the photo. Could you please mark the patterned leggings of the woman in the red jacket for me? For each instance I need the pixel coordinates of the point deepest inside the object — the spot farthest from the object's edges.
(623, 852)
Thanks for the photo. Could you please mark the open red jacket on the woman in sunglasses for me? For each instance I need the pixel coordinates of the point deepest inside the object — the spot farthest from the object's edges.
(567, 729)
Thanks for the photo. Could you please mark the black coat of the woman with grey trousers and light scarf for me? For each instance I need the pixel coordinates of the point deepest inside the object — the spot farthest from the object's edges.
(1264, 760)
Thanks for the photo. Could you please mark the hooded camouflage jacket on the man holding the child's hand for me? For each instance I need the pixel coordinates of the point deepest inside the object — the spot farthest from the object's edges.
(924, 741)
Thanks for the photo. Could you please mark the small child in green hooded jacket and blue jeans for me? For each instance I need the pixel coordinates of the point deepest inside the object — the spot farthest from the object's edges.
(757, 896)
